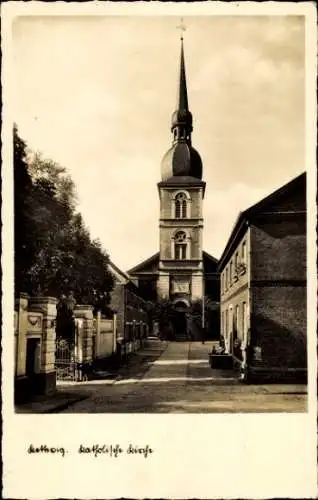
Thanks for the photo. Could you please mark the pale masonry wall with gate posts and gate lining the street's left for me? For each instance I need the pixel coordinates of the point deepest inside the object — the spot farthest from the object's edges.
(42, 356)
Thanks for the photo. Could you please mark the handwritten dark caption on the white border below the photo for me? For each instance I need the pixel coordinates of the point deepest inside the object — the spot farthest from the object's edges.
(94, 450)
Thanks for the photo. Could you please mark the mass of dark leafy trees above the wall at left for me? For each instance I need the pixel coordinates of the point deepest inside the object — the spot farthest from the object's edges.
(63, 259)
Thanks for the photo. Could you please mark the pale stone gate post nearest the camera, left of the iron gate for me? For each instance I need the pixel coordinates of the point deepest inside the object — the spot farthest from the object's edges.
(47, 375)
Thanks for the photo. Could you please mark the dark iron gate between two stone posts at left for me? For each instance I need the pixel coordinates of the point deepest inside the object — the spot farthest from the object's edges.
(66, 361)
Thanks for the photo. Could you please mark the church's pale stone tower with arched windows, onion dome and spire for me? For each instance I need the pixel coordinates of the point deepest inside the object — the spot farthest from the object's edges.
(181, 193)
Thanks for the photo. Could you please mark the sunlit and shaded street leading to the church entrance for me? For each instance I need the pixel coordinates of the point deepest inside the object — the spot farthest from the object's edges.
(175, 377)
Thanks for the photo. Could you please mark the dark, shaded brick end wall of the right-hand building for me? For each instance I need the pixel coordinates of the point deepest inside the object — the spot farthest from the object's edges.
(278, 274)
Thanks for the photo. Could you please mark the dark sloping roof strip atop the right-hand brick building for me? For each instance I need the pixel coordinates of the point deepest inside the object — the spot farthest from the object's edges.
(258, 208)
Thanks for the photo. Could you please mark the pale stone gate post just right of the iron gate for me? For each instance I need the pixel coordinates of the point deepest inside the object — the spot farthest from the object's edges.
(86, 332)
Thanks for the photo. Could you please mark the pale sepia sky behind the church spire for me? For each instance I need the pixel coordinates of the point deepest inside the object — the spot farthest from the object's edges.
(96, 94)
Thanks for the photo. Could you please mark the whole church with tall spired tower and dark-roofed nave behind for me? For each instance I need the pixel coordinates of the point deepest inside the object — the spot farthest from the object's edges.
(181, 270)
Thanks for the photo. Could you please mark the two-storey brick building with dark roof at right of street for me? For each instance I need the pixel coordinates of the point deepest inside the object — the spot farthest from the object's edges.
(263, 286)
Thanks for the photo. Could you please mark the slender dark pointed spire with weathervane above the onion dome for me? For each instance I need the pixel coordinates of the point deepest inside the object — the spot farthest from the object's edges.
(181, 123)
